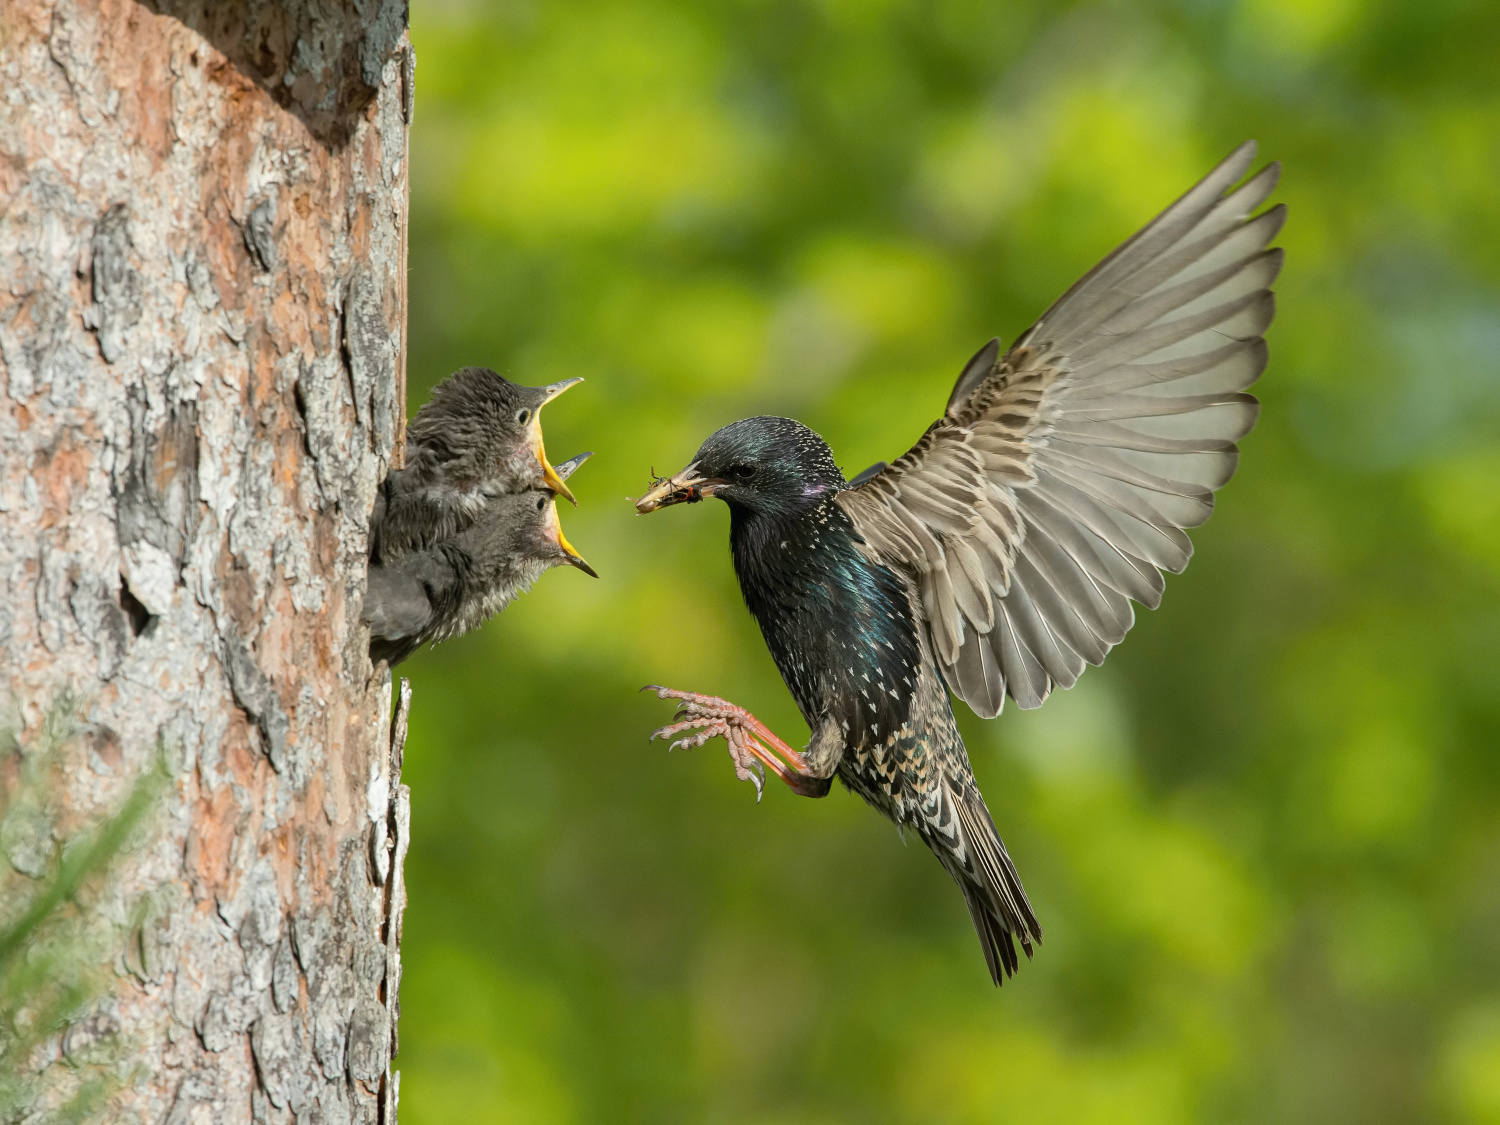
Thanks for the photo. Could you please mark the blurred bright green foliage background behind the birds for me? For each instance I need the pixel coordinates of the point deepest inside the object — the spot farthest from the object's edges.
(1264, 839)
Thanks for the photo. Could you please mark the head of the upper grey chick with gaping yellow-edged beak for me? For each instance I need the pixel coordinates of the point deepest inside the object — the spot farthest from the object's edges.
(490, 430)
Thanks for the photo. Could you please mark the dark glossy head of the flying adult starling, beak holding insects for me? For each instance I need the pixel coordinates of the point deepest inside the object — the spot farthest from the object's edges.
(766, 466)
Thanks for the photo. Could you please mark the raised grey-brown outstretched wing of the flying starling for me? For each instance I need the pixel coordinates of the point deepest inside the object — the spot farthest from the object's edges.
(1058, 485)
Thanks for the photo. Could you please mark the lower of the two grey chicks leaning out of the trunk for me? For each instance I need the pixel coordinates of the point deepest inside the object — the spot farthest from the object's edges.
(461, 581)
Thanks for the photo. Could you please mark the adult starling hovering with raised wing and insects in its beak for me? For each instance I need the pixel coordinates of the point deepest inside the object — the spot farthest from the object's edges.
(1003, 553)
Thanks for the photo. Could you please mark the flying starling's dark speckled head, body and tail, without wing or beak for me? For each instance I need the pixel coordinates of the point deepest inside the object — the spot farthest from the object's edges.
(848, 637)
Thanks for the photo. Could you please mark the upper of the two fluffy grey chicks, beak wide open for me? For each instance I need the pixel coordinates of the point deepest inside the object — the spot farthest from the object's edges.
(479, 437)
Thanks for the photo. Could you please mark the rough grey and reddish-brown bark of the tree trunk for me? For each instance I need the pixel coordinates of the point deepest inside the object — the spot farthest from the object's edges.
(203, 214)
